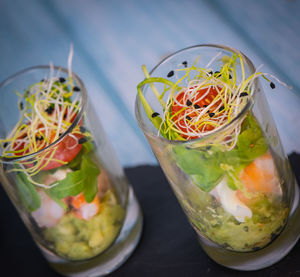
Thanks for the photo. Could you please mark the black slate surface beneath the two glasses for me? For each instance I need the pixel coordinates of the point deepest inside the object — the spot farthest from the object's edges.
(168, 246)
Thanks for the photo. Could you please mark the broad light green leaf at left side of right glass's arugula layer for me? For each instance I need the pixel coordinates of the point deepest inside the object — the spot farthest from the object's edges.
(202, 166)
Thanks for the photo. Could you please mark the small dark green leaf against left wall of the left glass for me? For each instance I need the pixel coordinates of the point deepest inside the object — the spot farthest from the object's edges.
(27, 193)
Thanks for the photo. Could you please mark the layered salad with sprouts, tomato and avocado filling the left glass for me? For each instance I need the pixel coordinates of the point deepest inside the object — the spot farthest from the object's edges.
(60, 178)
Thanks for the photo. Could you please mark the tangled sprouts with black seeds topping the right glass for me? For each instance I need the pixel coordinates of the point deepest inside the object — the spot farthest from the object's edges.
(234, 91)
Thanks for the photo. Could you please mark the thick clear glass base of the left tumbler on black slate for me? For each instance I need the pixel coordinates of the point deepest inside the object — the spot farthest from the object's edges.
(112, 258)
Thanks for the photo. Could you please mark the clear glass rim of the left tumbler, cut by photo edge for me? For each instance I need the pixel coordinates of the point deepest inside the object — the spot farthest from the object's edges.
(71, 127)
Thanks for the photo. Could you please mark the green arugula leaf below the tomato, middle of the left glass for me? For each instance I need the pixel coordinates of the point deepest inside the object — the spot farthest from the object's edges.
(82, 180)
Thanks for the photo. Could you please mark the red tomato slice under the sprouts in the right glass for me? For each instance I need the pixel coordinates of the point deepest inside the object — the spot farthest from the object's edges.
(178, 110)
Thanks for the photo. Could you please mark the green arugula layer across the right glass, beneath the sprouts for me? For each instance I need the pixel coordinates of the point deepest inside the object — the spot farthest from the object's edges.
(205, 167)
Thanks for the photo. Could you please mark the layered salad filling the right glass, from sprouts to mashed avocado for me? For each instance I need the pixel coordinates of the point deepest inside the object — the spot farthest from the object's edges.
(233, 195)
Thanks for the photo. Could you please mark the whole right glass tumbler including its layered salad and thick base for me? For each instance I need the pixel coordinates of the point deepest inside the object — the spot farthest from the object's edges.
(234, 183)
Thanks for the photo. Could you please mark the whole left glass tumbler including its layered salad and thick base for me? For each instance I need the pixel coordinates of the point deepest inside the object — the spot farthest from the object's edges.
(60, 172)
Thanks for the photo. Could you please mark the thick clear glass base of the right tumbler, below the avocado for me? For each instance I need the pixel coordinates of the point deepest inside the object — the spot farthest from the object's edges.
(265, 257)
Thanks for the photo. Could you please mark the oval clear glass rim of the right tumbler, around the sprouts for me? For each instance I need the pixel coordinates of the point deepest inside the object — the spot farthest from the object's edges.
(244, 111)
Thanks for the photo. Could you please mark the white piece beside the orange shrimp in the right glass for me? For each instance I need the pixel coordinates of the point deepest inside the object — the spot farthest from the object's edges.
(229, 201)
